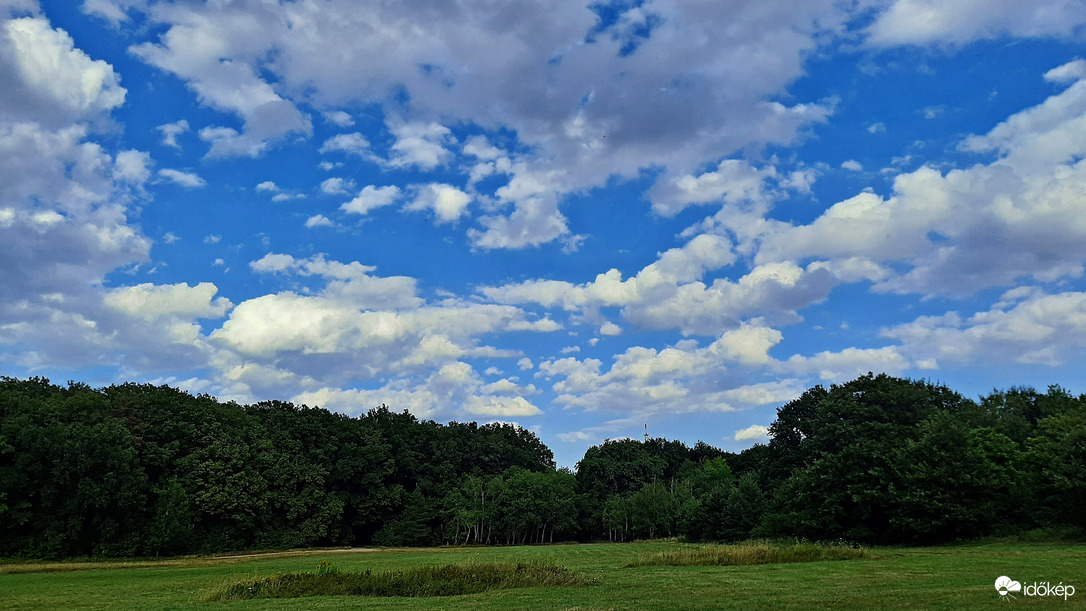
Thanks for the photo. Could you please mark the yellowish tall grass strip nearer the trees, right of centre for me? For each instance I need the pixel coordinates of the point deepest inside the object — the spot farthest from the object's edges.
(751, 553)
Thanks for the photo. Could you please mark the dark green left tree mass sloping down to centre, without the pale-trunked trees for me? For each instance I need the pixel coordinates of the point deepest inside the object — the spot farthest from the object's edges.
(142, 470)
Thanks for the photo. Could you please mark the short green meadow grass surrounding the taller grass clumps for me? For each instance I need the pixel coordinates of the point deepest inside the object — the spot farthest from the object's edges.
(959, 577)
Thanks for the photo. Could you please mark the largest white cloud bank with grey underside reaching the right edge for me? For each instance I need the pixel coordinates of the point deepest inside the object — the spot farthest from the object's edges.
(964, 231)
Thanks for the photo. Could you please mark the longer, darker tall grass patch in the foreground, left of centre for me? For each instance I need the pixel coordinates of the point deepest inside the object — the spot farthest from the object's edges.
(449, 580)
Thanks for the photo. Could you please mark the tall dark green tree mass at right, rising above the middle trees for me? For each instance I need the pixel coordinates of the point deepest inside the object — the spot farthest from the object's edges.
(888, 461)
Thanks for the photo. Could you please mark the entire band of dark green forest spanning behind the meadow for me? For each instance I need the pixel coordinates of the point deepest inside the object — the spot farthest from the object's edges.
(143, 470)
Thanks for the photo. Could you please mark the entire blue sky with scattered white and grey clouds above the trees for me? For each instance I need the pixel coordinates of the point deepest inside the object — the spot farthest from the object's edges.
(579, 219)
